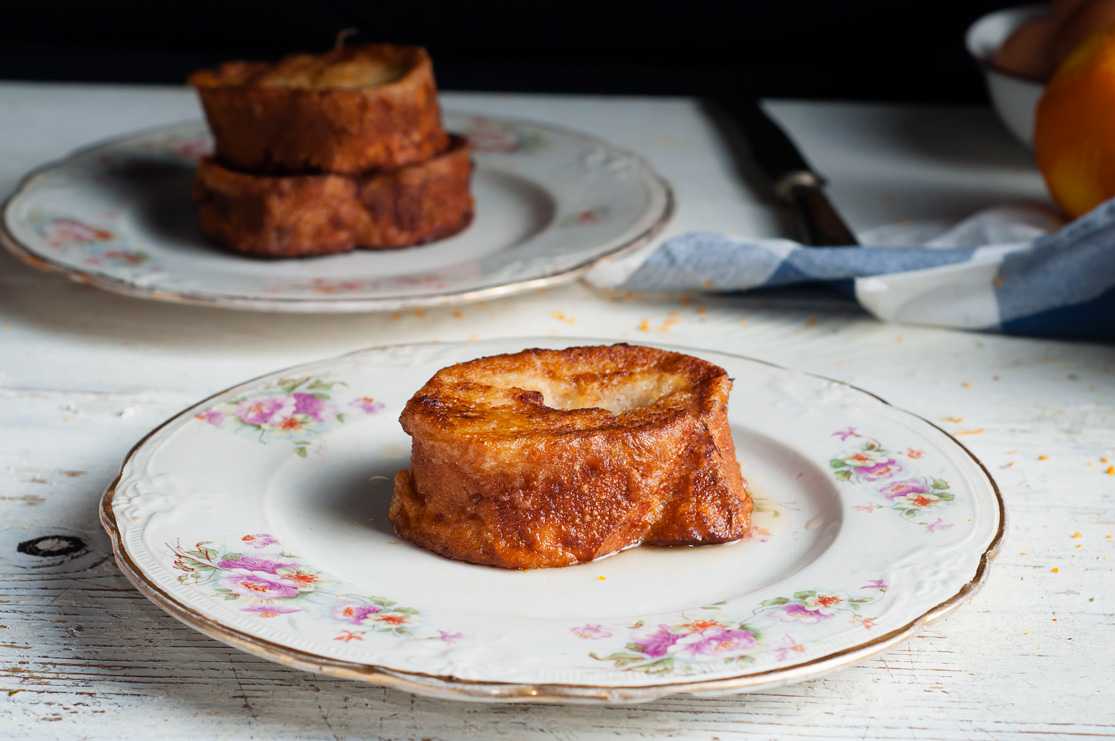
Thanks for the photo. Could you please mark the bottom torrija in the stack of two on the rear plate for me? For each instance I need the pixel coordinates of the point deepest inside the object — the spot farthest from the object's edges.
(303, 216)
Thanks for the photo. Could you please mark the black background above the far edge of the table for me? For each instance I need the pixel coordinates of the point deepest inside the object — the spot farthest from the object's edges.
(857, 50)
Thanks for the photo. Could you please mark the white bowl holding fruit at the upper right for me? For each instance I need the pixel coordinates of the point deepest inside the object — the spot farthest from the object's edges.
(1015, 97)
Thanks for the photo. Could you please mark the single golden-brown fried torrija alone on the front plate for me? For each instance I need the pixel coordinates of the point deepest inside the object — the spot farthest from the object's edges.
(557, 457)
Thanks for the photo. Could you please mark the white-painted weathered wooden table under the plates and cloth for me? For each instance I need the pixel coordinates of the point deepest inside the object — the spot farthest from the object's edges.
(84, 375)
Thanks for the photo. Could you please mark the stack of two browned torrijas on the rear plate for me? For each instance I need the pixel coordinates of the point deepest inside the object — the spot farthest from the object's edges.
(327, 153)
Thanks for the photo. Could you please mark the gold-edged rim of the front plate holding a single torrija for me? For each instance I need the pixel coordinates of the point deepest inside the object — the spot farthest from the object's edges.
(448, 687)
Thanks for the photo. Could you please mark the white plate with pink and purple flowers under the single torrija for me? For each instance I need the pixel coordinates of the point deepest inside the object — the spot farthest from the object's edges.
(259, 519)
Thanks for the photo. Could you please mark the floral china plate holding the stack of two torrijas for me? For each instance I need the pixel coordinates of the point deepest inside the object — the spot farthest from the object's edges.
(550, 203)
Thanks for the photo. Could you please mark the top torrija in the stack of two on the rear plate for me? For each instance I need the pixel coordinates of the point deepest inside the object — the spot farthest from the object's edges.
(350, 111)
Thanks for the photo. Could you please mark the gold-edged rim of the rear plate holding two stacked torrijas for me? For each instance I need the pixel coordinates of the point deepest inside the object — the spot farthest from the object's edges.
(323, 305)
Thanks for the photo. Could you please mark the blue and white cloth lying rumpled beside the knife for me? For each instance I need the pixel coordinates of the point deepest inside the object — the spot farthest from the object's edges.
(1015, 270)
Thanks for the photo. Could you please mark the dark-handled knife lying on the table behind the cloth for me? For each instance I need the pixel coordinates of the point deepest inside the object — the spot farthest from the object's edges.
(792, 179)
